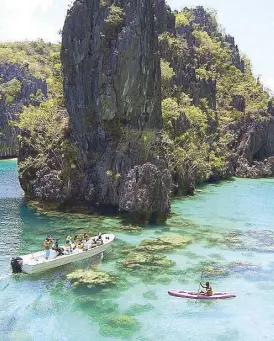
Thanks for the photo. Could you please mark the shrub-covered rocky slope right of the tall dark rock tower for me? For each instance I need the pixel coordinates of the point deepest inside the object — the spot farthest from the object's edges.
(212, 88)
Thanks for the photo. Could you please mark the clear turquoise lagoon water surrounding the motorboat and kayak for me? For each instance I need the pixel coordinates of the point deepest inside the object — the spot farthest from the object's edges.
(232, 245)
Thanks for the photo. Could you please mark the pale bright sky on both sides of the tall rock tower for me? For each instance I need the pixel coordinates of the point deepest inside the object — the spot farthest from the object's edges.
(251, 22)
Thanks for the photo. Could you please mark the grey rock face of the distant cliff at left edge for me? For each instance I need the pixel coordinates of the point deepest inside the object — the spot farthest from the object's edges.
(16, 87)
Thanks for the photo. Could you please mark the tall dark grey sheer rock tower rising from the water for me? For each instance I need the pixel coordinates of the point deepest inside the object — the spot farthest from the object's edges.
(113, 97)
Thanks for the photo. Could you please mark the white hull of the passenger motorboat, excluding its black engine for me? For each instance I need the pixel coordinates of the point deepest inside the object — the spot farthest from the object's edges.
(36, 263)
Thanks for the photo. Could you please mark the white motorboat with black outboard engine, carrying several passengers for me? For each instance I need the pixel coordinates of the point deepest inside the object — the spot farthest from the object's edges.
(37, 262)
